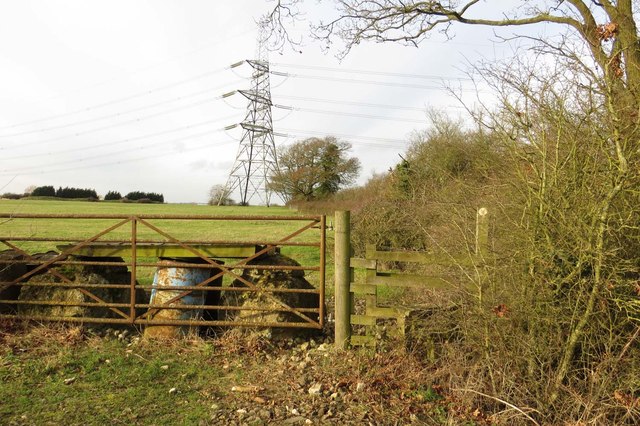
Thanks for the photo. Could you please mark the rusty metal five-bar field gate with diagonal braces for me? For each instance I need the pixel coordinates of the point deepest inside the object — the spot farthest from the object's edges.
(74, 282)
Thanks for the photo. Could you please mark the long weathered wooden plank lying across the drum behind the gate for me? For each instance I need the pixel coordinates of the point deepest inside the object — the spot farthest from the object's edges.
(164, 250)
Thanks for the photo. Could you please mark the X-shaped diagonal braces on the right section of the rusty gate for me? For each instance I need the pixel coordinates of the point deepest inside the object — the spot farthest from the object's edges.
(229, 270)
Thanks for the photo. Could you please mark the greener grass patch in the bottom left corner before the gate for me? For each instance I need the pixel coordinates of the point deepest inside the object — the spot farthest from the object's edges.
(111, 384)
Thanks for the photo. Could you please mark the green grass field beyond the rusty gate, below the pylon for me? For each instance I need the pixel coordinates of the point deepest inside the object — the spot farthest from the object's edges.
(258, 230)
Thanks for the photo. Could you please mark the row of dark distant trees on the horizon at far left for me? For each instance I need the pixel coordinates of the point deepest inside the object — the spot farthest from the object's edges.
(89, 194)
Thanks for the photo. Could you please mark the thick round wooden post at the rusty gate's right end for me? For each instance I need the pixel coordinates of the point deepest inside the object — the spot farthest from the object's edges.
(342, 279)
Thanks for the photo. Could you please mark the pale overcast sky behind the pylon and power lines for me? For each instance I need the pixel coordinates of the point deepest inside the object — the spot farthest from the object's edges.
(125, 95)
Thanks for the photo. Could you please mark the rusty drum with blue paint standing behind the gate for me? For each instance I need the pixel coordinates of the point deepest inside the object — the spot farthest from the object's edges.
(171, 276)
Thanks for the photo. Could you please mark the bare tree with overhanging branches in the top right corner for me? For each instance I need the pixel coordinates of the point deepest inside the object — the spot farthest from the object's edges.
(607, 28)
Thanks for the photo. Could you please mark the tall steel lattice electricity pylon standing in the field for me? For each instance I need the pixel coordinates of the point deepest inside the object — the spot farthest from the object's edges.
(256, 160)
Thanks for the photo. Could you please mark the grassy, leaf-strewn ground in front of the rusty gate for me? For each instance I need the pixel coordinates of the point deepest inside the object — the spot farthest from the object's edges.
(53, 375)
